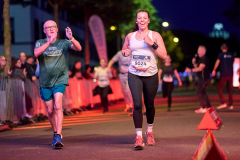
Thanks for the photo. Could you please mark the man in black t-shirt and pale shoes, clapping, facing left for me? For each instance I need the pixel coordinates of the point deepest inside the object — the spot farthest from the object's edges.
(202, 68)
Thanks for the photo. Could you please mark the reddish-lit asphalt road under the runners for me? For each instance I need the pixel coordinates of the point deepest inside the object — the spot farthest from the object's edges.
(92, 135)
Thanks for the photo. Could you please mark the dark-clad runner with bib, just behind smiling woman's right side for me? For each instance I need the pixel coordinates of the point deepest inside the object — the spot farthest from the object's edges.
(166, 74)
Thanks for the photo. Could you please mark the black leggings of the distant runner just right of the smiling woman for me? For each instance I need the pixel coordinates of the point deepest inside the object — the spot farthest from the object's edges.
(167, 88)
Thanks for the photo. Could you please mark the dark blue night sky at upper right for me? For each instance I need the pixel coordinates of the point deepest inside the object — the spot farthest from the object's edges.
(195, 15)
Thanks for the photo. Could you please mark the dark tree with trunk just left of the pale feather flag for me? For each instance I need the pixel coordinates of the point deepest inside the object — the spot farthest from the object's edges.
(108, 10)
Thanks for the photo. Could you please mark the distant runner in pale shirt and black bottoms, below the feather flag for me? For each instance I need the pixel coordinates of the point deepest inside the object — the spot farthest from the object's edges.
(102, 74)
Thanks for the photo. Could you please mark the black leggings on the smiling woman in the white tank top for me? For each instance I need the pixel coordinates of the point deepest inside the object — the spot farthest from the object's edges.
(147, 85)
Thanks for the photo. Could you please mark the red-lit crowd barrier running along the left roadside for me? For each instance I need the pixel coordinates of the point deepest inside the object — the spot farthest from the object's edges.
(18, 97)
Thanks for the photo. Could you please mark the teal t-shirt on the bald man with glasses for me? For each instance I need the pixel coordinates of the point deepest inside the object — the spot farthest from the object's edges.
(53, 63)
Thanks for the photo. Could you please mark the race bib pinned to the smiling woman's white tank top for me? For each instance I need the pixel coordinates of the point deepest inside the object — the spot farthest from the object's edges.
(141, 62)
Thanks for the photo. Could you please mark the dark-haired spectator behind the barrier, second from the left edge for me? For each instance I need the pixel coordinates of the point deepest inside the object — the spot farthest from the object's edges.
(17, 71)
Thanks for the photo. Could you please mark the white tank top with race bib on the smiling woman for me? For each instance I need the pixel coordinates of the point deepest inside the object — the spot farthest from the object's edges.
(143, 61)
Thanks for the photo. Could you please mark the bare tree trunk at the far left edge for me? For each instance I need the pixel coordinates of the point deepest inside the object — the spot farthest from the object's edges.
(7, 34)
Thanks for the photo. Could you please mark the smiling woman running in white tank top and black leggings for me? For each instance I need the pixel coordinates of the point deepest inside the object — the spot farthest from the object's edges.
(143, 72)
